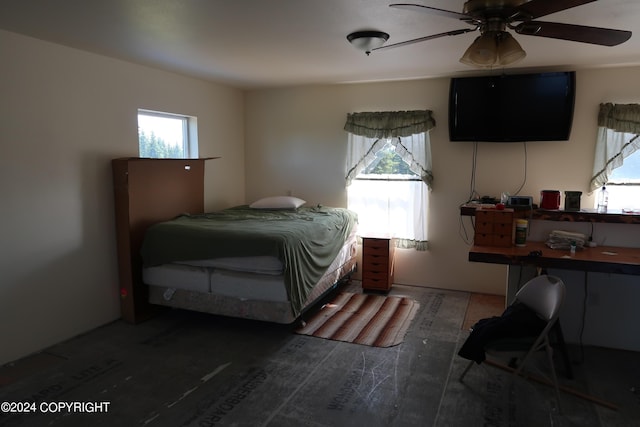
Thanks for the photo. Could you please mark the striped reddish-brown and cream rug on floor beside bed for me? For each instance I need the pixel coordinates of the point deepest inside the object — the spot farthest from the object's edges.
(374, 320)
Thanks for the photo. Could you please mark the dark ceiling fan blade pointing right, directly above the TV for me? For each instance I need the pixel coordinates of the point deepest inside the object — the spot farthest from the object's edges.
(577, 33)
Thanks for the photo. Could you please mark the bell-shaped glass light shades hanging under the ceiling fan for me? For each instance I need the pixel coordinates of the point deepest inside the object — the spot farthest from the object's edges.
(493, 48)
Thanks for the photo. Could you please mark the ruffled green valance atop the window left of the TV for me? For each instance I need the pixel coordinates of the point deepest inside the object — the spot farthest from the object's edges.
(389, 124)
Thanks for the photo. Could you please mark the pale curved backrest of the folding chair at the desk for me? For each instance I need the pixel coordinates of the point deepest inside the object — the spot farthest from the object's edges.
(543, 294)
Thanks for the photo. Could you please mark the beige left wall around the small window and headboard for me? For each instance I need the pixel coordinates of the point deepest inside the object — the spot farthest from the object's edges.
(64, 114)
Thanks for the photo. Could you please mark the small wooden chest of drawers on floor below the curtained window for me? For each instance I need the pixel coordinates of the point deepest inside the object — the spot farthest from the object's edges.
(377, 263)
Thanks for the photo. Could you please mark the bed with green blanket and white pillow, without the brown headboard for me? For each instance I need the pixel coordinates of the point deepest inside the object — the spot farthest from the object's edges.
(270, 264)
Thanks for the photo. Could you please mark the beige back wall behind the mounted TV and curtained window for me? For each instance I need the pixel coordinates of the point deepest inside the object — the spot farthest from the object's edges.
(295, 141)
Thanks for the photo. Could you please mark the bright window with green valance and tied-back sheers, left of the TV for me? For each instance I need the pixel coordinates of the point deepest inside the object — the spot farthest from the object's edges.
(388, 173)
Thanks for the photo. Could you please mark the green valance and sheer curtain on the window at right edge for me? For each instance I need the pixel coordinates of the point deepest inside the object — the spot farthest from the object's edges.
(618, 131)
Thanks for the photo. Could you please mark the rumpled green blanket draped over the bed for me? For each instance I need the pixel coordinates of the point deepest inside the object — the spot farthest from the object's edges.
(306, 240)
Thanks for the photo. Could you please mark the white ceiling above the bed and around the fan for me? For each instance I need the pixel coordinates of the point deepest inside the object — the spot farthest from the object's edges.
(265, 43)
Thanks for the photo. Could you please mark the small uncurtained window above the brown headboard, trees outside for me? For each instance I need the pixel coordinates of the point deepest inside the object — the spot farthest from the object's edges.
(166, 135)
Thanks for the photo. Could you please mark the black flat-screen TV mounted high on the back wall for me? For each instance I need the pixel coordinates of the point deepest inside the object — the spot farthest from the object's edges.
(512, 108)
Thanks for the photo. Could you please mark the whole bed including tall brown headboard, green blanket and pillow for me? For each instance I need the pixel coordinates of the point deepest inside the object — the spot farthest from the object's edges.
(270, 282)
